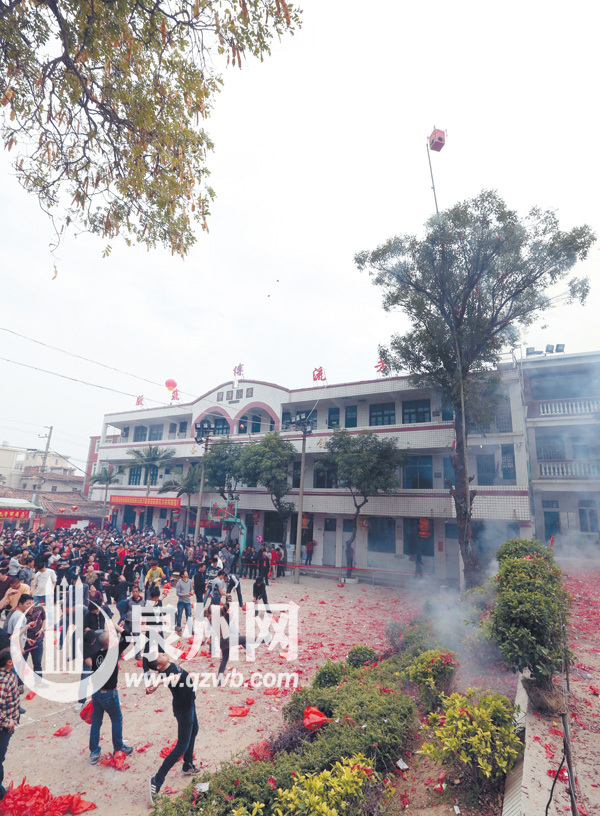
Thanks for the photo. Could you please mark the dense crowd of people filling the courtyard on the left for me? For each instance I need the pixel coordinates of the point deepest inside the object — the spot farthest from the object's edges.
(120, 570)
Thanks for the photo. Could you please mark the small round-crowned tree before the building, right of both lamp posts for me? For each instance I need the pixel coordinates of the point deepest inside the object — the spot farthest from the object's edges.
(366, 466)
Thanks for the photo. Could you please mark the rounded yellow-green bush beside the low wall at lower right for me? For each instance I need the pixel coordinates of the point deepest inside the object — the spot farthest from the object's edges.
(477, 733)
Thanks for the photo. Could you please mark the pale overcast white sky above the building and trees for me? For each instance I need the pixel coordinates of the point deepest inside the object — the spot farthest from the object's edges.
(320, 152)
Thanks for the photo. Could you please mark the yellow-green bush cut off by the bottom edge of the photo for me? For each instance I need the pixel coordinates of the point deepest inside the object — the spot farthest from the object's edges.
(329, 793)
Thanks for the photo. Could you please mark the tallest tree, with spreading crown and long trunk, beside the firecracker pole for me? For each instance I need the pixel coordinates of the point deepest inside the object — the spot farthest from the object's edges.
(478, 275)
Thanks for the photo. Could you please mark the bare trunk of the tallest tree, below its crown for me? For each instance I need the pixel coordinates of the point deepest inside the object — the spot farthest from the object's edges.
(463, 500)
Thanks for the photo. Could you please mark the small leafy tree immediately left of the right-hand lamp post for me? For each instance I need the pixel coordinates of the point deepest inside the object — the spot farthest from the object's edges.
(267, 463)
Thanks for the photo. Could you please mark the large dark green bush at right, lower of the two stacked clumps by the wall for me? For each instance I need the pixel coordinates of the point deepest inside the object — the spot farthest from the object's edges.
(527, 626)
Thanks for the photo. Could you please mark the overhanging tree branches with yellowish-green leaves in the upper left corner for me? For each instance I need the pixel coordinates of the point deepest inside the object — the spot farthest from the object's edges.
(104, 105)
